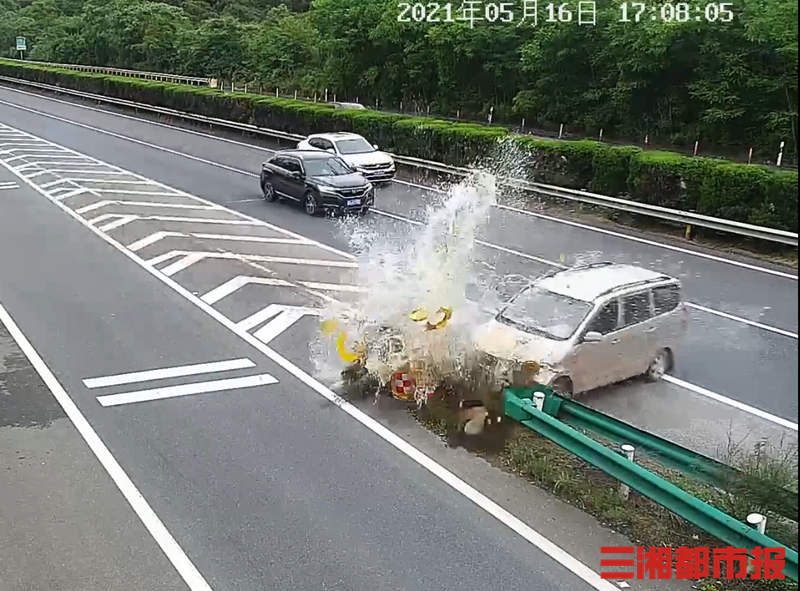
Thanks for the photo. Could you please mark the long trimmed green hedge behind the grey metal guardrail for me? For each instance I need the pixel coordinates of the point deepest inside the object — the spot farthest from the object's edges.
(752, 194)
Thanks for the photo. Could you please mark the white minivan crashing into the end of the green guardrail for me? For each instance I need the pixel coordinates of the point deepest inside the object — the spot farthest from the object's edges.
(590, 326)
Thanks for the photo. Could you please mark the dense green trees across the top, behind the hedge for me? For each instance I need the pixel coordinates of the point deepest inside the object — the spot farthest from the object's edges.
(725, 83)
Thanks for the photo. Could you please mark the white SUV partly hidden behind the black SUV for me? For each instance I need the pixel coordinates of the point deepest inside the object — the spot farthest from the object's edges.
(357, 152)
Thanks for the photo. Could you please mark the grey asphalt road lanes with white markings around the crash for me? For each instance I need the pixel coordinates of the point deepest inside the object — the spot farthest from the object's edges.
(128, 247)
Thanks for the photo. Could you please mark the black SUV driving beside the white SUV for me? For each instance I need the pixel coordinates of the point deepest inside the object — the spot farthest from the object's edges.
(318, 180)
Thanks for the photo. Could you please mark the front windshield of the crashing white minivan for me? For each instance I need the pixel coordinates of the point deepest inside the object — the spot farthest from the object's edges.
(544, 312)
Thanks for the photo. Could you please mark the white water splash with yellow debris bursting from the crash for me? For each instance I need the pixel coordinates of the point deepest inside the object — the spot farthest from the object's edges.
(430, 269)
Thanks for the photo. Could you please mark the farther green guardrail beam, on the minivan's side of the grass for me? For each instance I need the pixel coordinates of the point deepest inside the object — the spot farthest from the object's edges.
(667, 453)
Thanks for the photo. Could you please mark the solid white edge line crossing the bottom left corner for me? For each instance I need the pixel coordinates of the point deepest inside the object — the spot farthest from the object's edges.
(191, 576)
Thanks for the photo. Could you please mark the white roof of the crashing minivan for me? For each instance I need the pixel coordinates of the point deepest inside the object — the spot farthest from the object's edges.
(592, 281)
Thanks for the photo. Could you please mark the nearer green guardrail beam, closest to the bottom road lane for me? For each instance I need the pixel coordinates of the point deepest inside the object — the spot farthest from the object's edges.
(712, 520)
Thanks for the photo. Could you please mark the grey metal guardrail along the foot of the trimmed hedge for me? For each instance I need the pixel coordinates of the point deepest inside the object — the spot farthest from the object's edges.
(663, 213)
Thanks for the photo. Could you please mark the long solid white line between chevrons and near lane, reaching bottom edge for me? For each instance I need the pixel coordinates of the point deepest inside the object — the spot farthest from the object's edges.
(485, 503)
